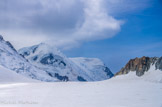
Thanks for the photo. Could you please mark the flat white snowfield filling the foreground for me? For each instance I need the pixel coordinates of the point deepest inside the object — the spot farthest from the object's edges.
(122, 91)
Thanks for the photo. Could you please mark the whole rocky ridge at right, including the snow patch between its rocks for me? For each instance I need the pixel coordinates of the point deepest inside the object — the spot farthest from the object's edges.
(142, 65)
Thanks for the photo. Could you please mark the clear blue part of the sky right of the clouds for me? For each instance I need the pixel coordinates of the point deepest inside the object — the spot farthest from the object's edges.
(141, 35)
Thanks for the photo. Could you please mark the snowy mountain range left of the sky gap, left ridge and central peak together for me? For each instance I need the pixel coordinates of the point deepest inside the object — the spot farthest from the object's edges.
(46, 63)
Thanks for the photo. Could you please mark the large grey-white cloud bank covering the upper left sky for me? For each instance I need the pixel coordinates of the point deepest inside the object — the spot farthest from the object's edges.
(63, 23)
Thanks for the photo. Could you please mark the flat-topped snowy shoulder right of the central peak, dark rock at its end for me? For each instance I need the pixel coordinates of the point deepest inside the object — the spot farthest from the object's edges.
(94, 67)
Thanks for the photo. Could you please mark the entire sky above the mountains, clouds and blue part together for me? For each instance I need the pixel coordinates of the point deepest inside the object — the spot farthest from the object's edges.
(112, 30)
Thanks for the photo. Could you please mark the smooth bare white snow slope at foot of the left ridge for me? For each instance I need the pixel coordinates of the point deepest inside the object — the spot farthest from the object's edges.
(7, 75)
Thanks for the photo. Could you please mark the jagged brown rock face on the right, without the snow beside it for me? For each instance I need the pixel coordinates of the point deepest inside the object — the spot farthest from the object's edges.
(139, 65)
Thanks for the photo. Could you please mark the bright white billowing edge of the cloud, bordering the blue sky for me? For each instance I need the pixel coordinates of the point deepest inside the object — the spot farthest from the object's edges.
(97, 24)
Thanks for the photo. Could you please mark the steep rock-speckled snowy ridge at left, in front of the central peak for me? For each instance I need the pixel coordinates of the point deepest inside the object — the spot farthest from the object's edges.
(9, 58)
